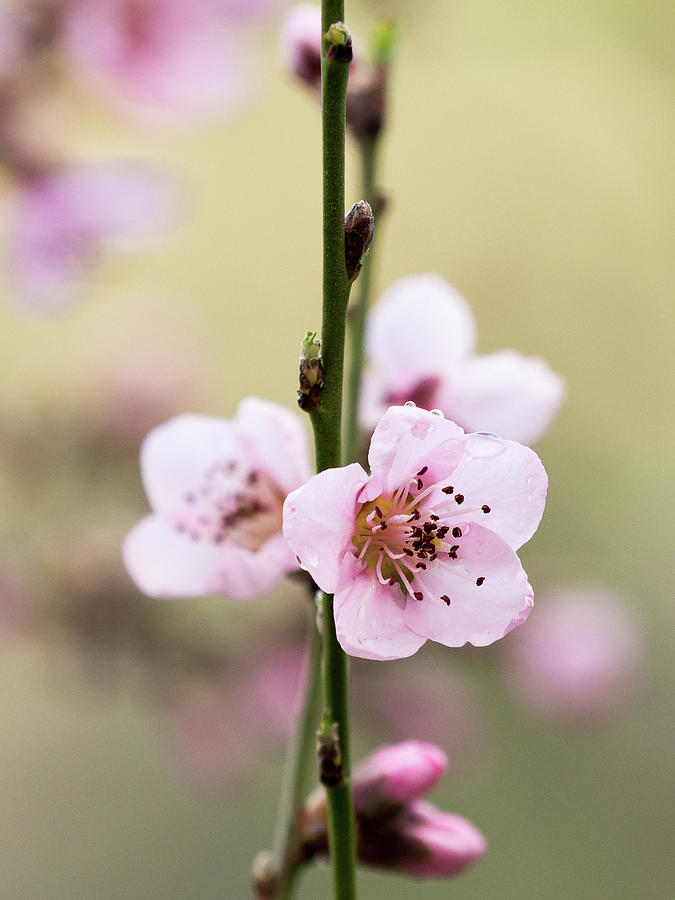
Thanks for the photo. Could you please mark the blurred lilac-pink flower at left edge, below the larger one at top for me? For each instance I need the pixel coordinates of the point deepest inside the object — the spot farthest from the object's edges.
(64, 220)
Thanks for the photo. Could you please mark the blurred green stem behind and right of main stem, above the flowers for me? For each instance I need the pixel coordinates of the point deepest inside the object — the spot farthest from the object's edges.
(368, 146)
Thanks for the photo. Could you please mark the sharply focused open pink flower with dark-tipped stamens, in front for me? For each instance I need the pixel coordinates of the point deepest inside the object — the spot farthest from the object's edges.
(424, 547)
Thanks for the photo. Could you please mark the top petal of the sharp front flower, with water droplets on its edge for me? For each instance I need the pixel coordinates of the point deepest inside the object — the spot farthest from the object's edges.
(405, 441)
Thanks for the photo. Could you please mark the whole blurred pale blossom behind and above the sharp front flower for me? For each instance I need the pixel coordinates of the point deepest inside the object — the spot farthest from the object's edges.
(504, 393)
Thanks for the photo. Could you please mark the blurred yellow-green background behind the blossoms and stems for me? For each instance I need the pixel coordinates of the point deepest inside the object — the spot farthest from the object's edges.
(528, 160)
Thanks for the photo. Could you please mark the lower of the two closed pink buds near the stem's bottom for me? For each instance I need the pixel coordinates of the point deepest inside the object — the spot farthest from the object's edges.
(446, 843)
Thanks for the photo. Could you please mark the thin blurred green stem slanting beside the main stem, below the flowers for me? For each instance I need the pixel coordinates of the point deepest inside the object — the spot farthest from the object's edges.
(299, 762)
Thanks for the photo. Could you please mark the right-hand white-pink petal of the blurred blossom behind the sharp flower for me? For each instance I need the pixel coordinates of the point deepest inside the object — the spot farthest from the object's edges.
(507, 394)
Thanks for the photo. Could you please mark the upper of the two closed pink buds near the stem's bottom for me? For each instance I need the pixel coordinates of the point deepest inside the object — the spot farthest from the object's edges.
(398, 773)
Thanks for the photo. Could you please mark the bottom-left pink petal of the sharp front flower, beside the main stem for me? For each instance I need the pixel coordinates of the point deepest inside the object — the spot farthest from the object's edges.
(369, 618)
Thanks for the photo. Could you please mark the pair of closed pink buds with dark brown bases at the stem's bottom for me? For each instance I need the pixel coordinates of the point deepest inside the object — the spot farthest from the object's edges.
(396, 828)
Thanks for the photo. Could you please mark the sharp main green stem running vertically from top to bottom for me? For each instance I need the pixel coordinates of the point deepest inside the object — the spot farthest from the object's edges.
(326, 423)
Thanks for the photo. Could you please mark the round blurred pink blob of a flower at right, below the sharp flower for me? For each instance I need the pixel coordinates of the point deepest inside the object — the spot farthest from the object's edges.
(580, 656)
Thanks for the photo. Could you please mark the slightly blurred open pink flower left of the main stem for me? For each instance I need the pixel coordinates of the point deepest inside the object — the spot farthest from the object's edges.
(217, 489)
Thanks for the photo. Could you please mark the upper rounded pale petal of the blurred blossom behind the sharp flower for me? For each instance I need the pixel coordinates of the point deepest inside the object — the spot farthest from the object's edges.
(420, 326)
